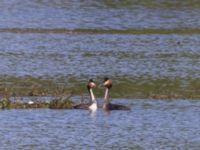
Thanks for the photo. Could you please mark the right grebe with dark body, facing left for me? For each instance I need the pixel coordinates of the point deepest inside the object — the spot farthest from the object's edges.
(107, 105)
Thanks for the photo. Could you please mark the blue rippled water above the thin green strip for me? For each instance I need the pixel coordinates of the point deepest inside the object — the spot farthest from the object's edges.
(99, 14)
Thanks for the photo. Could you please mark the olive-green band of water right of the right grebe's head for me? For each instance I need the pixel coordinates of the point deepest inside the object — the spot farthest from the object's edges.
(156, 88)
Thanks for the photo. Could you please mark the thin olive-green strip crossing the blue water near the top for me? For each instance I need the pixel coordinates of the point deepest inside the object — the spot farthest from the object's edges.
(104, 31)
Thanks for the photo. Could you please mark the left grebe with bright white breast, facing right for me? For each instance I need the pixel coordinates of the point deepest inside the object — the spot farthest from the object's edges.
(91, 105)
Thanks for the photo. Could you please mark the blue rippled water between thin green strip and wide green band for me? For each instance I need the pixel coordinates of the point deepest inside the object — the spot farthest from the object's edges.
(96, 55)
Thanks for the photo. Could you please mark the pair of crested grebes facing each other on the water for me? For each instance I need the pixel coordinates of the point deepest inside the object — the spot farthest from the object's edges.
(107, 105)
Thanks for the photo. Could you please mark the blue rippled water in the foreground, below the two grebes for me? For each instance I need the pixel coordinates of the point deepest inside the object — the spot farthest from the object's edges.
(151, 124)
